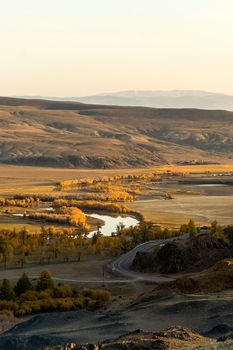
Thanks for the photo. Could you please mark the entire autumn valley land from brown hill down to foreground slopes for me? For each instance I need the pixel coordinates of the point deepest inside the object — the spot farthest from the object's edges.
(65, 169)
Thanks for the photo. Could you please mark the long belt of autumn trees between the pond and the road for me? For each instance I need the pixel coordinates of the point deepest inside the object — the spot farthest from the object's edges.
(69, 244)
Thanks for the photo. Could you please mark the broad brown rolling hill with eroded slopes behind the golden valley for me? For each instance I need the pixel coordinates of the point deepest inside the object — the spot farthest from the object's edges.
(71, 134)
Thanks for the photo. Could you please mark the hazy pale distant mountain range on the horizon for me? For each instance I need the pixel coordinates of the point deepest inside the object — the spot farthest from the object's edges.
(156, 99)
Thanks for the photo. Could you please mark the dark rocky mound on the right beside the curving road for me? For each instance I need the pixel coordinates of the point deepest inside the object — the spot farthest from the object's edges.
(194, 254)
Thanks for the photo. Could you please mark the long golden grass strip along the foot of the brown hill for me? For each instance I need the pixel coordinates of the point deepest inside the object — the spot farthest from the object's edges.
(28, 179)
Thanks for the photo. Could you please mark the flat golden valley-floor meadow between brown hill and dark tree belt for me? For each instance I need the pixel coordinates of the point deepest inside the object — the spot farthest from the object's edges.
(156, 193)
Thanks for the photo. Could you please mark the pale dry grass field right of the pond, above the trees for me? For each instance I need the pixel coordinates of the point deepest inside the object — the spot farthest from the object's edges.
(172, 213)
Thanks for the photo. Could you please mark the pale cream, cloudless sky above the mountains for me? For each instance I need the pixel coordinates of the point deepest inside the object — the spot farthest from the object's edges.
(85, 47)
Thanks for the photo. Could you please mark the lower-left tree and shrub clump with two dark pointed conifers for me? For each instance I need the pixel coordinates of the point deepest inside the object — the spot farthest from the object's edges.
(24, 298)
